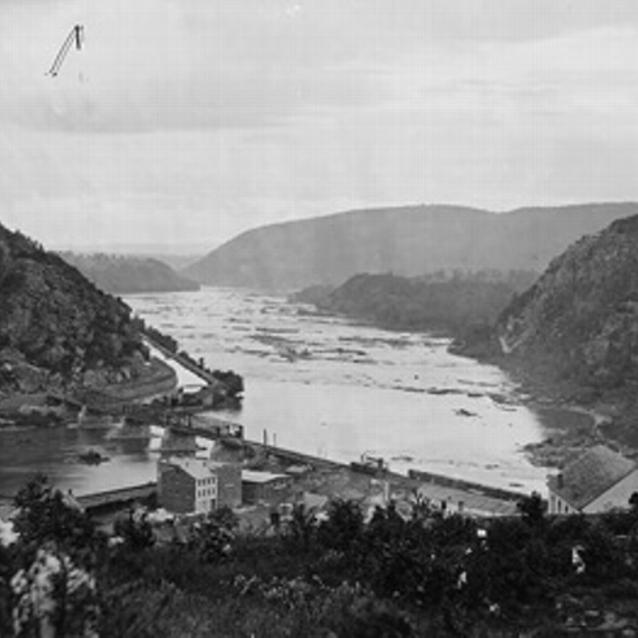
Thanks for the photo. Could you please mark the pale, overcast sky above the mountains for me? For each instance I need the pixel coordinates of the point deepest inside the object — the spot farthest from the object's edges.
(182, 123)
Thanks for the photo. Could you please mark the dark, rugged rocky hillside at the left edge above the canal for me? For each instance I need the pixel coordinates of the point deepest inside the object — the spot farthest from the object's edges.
(57, 330)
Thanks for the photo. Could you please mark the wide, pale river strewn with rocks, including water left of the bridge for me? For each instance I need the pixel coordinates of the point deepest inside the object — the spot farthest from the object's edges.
(321, 385)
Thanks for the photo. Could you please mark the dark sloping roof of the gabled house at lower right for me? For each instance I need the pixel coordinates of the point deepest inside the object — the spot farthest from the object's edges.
(590, 476)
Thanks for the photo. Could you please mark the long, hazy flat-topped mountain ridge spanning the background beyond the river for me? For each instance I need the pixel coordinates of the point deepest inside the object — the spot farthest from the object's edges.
(407, 241)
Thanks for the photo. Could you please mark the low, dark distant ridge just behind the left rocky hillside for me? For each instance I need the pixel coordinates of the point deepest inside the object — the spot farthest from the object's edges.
(122, 274)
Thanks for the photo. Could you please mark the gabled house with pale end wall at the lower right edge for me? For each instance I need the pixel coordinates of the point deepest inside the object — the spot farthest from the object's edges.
(598, 481)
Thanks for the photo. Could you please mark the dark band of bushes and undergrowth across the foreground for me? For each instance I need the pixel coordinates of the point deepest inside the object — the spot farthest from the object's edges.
(344, 576)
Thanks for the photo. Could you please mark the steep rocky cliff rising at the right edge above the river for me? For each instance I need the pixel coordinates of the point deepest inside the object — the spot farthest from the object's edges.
(578, 324)
